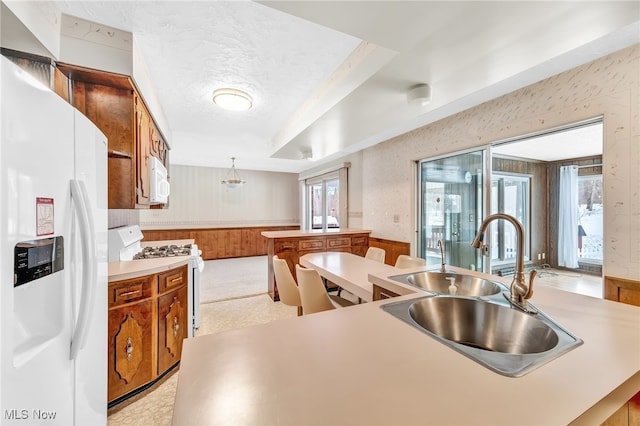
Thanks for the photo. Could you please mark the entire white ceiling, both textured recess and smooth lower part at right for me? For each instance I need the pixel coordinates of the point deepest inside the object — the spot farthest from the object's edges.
(332, 77)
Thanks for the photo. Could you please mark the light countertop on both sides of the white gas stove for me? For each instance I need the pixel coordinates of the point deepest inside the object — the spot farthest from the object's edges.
(127, 269)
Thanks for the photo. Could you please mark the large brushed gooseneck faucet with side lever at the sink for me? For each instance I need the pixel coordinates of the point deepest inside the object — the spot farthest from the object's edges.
(520, 290)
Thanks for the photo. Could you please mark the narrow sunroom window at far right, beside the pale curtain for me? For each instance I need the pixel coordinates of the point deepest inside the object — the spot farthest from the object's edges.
(590, 208)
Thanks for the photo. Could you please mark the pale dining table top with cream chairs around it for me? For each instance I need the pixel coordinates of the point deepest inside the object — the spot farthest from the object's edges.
(348, 271)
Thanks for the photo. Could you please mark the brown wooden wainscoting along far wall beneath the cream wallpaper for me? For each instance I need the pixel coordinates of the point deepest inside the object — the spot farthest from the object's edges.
(221, 243)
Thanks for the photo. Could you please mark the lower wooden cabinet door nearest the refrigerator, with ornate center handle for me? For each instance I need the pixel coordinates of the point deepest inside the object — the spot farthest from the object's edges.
(130, 340)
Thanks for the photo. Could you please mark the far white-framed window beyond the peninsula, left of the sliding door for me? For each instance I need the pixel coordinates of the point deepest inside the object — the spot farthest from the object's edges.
(325, 196)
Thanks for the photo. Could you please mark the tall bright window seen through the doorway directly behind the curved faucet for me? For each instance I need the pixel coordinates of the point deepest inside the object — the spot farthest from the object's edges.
(510, 194)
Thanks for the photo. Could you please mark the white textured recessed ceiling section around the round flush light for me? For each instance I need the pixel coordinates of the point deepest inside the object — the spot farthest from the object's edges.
(194, 48)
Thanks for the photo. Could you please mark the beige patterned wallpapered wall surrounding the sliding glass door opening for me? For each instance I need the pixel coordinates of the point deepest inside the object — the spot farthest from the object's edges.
(608, 87)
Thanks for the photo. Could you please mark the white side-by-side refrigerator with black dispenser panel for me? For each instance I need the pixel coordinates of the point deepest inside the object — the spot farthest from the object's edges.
(53, 257)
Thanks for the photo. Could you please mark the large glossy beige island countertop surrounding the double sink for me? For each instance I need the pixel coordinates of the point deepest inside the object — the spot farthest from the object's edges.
(360, 365)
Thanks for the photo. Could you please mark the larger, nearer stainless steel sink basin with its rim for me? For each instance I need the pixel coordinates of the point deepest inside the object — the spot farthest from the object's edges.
(490, 332)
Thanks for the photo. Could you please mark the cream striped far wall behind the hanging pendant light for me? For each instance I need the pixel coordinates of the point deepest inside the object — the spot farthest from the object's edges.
(199, 200)
